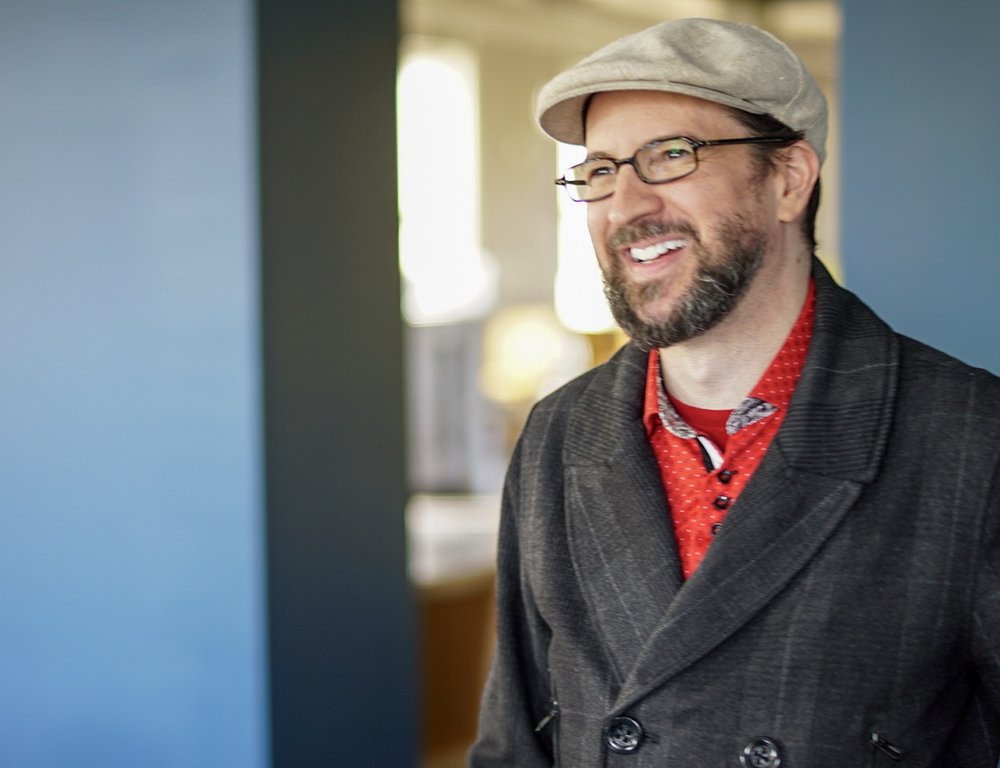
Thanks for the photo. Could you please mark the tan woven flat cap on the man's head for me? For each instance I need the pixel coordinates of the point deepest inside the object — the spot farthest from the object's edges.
(722, 61)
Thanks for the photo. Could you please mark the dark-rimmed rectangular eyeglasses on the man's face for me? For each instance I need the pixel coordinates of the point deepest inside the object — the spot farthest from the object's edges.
(657, 162)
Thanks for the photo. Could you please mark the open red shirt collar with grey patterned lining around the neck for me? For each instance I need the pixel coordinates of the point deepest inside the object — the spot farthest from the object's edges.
(771, 393)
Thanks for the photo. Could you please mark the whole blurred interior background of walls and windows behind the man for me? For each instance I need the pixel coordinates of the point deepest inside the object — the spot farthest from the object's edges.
(279, 281)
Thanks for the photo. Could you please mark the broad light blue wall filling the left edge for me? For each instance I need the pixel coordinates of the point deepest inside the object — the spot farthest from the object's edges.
(130, 491)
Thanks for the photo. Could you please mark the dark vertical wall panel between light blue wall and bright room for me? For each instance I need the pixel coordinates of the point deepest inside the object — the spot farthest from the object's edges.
(341, 612)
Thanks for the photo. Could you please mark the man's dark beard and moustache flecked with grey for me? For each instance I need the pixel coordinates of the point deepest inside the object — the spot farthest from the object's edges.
(720, 281)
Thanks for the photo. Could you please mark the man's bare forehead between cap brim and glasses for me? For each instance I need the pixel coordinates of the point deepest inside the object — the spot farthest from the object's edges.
(618, 120)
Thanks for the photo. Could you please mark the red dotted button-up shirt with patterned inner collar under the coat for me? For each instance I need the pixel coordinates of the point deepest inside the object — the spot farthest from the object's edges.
(703, 479)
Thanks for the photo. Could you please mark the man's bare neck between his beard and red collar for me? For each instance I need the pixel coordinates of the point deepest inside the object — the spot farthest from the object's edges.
(719, 368)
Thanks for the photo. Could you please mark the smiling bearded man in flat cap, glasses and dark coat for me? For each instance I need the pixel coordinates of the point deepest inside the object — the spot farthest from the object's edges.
(766, 532)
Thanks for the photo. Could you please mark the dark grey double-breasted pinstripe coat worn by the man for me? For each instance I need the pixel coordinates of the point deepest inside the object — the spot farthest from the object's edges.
(847, 614)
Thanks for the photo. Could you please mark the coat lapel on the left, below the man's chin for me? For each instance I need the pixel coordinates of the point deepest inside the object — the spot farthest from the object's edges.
(617, 519)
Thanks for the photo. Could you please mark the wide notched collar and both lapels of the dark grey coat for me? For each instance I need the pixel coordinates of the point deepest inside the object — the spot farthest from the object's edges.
(651, 623)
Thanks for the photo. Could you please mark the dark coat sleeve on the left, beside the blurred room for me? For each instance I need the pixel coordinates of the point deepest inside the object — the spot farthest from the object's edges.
(517, 696)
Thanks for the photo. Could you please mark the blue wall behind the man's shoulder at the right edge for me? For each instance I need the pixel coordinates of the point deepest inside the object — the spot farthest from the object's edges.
(921, 175)
